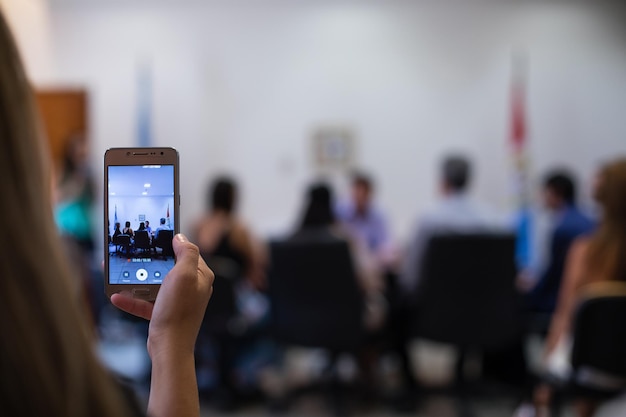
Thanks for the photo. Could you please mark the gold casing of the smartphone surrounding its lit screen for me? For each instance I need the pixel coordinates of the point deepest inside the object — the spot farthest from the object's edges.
(129, 157)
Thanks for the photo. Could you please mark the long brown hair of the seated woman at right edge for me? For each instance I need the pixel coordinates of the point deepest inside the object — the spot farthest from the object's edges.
(607, 250)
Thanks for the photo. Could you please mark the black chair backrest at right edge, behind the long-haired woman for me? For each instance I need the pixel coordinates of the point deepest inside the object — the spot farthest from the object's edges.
(599, 333)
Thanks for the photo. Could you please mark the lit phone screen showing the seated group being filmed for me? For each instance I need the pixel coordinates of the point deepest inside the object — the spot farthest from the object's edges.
(141, 209)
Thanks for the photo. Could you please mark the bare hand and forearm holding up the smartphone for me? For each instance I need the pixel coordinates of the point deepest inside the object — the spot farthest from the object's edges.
(175, 319)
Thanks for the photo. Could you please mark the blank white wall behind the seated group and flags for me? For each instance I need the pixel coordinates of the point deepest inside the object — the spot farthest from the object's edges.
(239, 86)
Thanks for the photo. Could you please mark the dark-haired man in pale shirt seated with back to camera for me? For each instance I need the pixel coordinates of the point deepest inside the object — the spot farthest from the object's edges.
(454, 213)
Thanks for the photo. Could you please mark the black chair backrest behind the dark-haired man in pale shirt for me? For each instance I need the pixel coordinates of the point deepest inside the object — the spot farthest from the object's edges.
(466, 295)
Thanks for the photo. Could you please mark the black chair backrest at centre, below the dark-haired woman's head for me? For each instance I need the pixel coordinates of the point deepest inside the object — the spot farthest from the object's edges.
(314, 295)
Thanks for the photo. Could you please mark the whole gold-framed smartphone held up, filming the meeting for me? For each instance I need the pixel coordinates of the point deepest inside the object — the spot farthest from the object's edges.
(141, 205)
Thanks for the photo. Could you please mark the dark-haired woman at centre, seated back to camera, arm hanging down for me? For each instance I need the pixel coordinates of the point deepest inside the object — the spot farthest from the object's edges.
(319, 218)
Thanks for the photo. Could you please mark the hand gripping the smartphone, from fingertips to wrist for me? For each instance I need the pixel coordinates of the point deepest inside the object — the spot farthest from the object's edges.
(177, 313)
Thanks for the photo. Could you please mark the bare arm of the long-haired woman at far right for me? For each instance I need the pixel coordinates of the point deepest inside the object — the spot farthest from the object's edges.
(573, 279)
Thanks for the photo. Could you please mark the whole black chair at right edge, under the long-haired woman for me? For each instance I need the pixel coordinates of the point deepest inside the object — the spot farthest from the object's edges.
(599, 336)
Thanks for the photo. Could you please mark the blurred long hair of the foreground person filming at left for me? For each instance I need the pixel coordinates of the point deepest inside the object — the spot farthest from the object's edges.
(46, 356)
